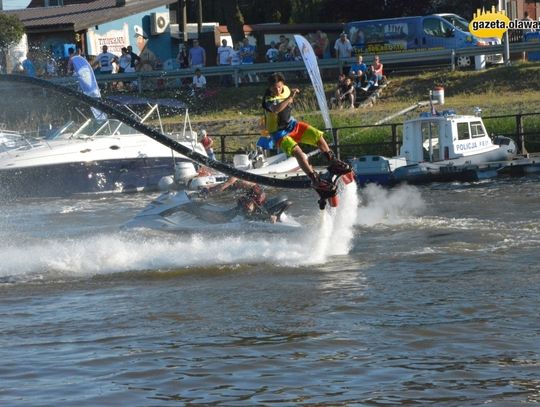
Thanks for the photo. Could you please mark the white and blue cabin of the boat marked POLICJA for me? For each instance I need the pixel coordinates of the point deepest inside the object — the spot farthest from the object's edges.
(445, 136)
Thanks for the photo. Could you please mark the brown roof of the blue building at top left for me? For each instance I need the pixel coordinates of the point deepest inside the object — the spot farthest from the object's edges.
(78, 17)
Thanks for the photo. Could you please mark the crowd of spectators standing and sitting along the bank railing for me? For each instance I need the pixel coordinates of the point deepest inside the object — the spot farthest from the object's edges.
(358, 79)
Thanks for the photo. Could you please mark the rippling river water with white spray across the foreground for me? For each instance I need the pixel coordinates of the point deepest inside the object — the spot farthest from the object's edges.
(421, 295)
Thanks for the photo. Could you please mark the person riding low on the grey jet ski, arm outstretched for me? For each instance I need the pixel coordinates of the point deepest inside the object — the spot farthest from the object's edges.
(250, 203)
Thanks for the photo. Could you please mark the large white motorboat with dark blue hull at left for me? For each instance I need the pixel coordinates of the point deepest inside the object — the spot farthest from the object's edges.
(95, 156)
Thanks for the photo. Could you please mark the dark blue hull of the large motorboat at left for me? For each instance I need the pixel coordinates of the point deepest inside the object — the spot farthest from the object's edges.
(106, 176)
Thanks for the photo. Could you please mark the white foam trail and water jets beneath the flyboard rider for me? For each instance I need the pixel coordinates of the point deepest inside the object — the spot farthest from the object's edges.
(27, 258)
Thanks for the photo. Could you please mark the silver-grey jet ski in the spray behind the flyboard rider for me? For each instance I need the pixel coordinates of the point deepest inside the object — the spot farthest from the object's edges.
(191, 211)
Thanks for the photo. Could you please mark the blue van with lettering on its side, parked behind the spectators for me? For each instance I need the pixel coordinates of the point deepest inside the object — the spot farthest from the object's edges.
(436, 31)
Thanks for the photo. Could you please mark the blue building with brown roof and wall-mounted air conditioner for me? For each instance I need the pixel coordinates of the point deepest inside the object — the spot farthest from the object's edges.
(88, 25)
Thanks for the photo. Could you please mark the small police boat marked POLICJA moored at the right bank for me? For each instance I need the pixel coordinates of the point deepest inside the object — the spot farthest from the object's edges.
(438, 148)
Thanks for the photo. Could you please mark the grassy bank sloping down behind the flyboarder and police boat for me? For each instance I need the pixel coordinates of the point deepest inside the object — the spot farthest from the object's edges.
(497, 90)
